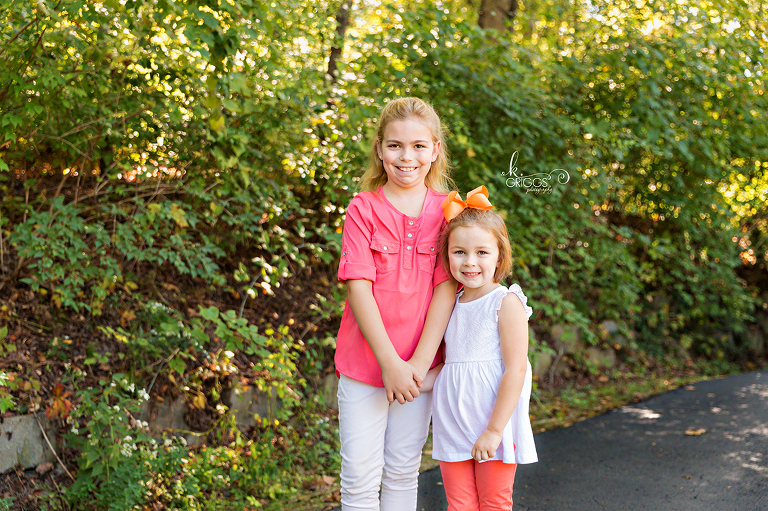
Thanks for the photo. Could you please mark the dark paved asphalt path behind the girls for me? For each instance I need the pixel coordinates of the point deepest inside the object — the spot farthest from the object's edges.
(639, 457)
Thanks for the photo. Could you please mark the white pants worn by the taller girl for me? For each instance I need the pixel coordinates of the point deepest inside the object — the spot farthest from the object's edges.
(381, 445)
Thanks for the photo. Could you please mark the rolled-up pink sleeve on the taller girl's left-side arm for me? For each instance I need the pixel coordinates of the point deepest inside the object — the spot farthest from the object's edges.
(356, 255)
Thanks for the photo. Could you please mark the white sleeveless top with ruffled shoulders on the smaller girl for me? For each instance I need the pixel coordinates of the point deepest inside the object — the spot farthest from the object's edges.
(465, 390)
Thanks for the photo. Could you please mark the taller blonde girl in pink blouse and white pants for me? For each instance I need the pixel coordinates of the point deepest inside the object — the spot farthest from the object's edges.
(399, 300)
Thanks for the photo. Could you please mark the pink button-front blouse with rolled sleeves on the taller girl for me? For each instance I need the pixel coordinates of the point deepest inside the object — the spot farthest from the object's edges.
(398, 254)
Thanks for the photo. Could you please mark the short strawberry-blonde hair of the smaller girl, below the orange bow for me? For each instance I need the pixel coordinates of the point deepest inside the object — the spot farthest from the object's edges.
(491, 222)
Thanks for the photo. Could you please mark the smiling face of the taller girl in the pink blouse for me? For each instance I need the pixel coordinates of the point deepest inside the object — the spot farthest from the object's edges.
(407, 152)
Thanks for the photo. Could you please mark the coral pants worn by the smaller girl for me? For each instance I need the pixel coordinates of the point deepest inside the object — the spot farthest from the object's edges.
(474, 486)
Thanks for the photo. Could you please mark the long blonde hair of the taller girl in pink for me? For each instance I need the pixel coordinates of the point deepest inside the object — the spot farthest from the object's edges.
(401, 109)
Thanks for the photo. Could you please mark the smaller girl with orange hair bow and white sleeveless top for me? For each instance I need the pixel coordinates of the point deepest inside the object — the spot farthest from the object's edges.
(480, 426)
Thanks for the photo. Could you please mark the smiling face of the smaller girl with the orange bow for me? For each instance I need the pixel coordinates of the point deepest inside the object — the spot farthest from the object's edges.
(473, 256)
